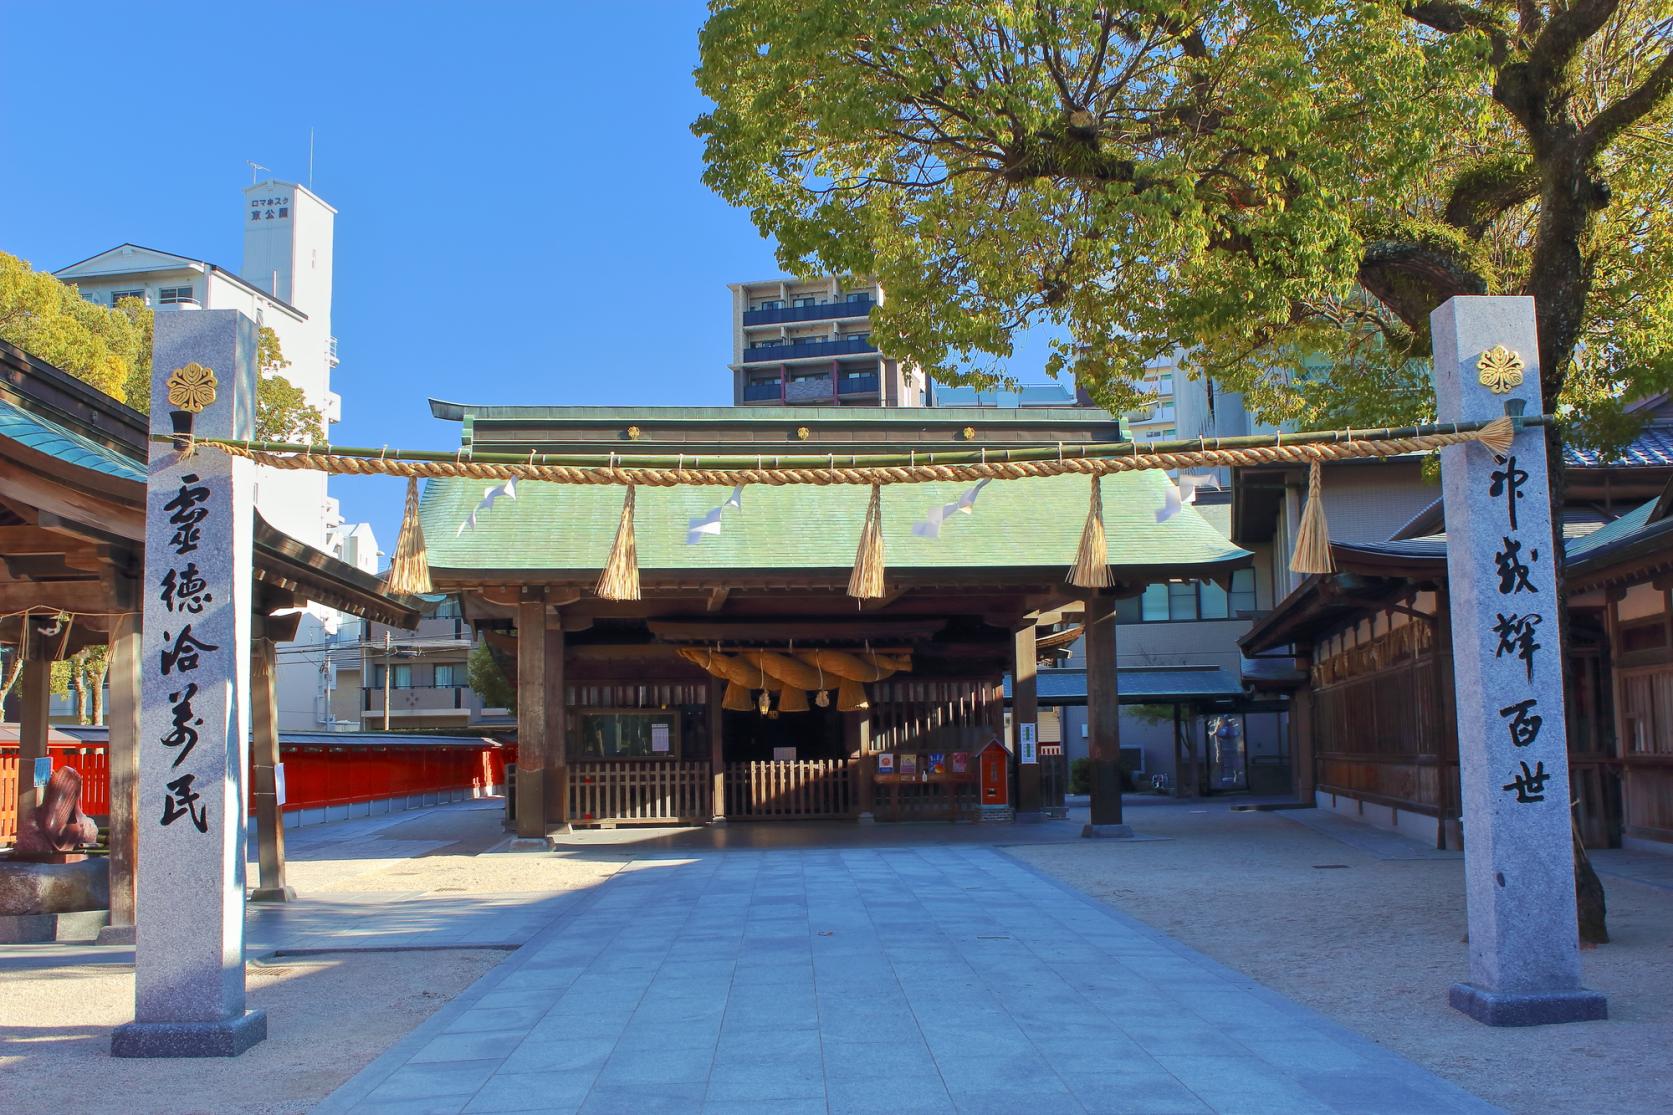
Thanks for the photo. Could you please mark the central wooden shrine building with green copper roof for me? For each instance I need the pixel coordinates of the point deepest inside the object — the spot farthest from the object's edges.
(745, 682)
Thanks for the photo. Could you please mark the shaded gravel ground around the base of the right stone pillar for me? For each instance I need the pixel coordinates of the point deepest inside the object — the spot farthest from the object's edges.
(1376, 943)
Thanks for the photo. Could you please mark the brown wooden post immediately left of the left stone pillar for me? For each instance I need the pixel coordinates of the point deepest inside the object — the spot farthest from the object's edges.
(123, 759)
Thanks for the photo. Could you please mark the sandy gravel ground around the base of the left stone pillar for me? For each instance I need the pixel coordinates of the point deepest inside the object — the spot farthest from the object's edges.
(329, 1017)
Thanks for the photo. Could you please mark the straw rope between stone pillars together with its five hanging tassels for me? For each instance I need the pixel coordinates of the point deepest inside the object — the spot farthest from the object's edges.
(1090, 570)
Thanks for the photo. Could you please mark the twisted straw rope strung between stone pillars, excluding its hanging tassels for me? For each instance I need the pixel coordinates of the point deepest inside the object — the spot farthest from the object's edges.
(1496, 436)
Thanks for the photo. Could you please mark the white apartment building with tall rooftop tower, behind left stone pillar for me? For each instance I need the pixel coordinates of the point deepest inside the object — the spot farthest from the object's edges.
(285, 284)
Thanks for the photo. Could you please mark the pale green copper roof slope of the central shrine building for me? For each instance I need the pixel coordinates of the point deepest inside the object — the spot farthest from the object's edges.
(1015, 525)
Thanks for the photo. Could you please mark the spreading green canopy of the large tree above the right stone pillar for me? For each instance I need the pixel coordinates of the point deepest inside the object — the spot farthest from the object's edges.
(1274, 187)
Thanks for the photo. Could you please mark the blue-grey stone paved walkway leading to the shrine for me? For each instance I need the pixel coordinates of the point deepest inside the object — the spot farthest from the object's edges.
(874, 980)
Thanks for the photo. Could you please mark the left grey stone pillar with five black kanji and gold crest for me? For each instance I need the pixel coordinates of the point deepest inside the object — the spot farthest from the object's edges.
(195, 697)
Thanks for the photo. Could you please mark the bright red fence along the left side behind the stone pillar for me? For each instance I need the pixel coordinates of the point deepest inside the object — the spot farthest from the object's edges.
(314, 774)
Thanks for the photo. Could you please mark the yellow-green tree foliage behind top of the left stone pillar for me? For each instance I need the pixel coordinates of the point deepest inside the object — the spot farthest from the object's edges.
(111, 349)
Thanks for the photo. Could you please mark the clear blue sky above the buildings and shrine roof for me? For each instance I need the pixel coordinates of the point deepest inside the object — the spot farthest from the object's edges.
(521, 212)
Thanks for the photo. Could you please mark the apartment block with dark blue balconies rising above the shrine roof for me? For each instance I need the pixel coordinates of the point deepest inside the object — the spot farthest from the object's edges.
(807, 342)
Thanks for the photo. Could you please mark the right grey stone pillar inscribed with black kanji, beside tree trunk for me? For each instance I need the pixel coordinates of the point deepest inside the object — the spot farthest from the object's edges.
(1503, 555)
